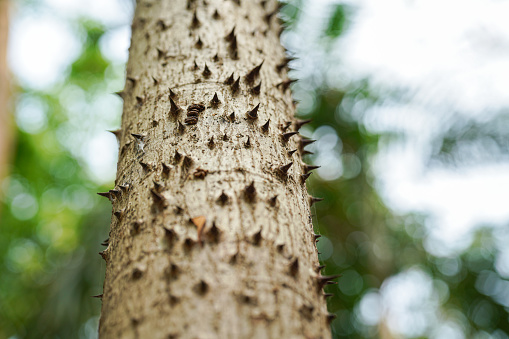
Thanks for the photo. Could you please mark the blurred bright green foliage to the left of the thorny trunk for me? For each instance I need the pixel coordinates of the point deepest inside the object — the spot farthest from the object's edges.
(52, 221)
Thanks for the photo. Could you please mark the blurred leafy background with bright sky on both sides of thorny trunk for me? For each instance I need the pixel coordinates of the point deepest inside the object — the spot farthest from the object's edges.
(413, 152)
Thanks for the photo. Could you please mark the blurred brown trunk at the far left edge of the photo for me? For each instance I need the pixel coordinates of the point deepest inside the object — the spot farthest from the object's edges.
(5, 118)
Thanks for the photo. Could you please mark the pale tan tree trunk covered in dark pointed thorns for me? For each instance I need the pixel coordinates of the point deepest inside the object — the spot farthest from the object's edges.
(211, 234)
